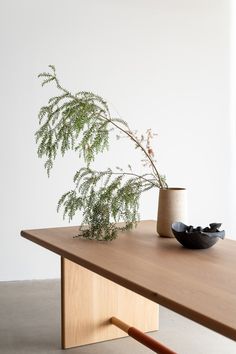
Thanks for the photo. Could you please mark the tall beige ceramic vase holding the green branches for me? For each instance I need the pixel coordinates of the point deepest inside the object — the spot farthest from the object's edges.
(172, 207)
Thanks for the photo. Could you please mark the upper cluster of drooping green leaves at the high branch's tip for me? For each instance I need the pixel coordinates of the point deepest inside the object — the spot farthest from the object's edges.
(72, 122)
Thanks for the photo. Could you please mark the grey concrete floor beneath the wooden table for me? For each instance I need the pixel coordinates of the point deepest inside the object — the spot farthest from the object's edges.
(30, 324)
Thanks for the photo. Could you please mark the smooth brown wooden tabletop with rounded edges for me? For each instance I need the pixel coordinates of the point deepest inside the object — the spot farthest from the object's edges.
(198, 284)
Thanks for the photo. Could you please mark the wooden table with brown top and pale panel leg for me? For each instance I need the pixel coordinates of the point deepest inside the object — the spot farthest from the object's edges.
(104, 279)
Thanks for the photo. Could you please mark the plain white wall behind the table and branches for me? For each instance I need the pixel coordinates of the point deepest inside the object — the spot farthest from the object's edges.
(162, 64)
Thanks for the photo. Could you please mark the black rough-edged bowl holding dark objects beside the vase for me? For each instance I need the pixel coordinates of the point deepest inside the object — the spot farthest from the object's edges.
(196, 239)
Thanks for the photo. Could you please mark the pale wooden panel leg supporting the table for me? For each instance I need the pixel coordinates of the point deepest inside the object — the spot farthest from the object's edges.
(89, 301)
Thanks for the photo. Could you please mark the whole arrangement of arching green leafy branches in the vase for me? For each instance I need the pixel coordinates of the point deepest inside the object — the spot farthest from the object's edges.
(82, 122)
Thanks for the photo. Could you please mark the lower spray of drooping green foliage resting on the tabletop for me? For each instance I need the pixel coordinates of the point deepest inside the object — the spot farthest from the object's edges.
(106, 198)
